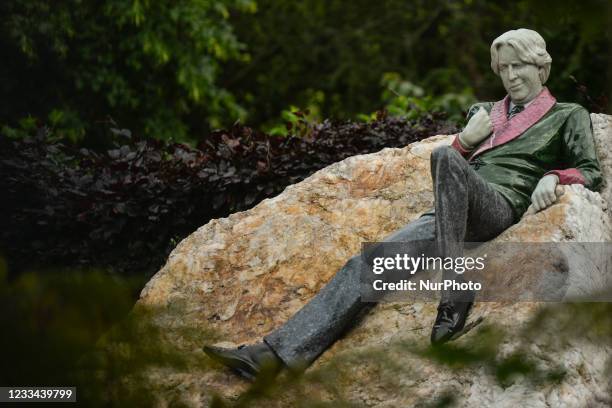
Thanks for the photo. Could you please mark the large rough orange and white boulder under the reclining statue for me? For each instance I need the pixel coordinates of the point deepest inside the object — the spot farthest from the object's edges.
(244, 275)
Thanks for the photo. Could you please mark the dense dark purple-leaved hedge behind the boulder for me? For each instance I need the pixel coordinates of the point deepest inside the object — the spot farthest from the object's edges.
(127, 206)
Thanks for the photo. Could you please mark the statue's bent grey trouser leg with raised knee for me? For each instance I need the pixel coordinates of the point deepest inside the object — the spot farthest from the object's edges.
(467, 207)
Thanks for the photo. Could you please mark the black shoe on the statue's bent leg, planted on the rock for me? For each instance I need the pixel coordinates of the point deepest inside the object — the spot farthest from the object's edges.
(451, 318)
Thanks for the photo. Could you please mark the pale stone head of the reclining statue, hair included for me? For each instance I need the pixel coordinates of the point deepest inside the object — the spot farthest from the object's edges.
(519, 57)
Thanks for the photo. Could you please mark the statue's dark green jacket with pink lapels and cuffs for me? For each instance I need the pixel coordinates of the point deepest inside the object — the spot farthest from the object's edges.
(547, 137)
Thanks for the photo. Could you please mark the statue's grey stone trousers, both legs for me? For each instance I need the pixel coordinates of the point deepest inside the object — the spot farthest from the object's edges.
(467, 209)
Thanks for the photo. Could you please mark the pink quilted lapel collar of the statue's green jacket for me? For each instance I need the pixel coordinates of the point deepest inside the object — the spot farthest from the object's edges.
(505, 130)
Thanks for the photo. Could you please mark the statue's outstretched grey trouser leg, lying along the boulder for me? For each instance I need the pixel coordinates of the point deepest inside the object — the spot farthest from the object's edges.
(326, 316)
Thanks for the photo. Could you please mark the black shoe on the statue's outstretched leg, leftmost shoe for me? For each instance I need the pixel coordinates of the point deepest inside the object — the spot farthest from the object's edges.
(247, 361)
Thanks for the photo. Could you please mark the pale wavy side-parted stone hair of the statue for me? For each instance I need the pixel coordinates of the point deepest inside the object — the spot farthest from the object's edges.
(529, 46)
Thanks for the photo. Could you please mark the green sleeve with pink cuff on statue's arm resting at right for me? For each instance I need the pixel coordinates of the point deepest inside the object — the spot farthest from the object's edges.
(579, 152)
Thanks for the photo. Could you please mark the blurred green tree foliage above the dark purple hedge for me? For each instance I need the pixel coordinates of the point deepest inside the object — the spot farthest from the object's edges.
(179, 68)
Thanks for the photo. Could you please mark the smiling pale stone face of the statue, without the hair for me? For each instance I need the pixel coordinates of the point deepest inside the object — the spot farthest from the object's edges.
(521, 79)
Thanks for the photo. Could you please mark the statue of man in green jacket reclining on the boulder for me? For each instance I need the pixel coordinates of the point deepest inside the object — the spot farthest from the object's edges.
(512, 154)
